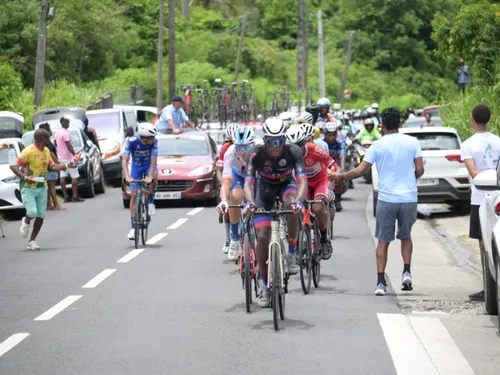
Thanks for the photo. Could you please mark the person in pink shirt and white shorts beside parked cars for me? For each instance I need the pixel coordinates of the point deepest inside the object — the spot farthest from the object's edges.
(66, 154)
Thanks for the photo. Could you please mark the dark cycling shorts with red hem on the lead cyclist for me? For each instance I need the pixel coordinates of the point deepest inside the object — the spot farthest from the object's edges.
(266, 196)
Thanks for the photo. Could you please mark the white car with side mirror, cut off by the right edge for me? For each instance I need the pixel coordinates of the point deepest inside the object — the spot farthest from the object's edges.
(489, 215)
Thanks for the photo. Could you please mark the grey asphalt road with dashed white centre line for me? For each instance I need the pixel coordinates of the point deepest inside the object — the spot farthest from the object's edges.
(88, 304)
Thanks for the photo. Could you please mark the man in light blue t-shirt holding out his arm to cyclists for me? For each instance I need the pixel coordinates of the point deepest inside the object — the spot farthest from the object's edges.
(399, 164)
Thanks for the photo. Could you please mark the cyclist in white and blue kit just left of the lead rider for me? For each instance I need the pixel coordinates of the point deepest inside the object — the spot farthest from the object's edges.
(233, 177)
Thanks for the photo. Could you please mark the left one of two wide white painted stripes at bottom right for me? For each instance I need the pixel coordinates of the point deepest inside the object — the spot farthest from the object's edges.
(407, 352)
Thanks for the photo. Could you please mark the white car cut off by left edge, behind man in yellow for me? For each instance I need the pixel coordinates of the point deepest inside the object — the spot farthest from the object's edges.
(10, 195)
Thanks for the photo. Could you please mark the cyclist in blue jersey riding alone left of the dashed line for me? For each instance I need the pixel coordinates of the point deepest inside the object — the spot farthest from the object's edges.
(143, 149)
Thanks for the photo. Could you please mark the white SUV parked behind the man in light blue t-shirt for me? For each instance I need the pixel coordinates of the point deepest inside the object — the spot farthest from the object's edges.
(445, 179)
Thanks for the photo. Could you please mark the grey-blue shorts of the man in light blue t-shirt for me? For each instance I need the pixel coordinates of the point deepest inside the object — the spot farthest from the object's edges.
(405, 214)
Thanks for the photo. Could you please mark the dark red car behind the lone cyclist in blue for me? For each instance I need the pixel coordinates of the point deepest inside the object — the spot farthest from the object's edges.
(186, 168)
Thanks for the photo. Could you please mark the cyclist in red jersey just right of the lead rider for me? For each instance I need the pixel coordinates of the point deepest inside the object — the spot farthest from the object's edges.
(318, 164)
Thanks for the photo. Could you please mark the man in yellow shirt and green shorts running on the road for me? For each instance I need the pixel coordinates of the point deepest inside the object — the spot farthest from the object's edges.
(32, 167)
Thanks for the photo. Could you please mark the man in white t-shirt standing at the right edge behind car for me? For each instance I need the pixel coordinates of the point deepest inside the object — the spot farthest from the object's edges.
(480, 153)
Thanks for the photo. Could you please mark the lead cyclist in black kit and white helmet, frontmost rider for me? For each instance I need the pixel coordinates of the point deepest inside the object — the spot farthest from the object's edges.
(274, 163)
